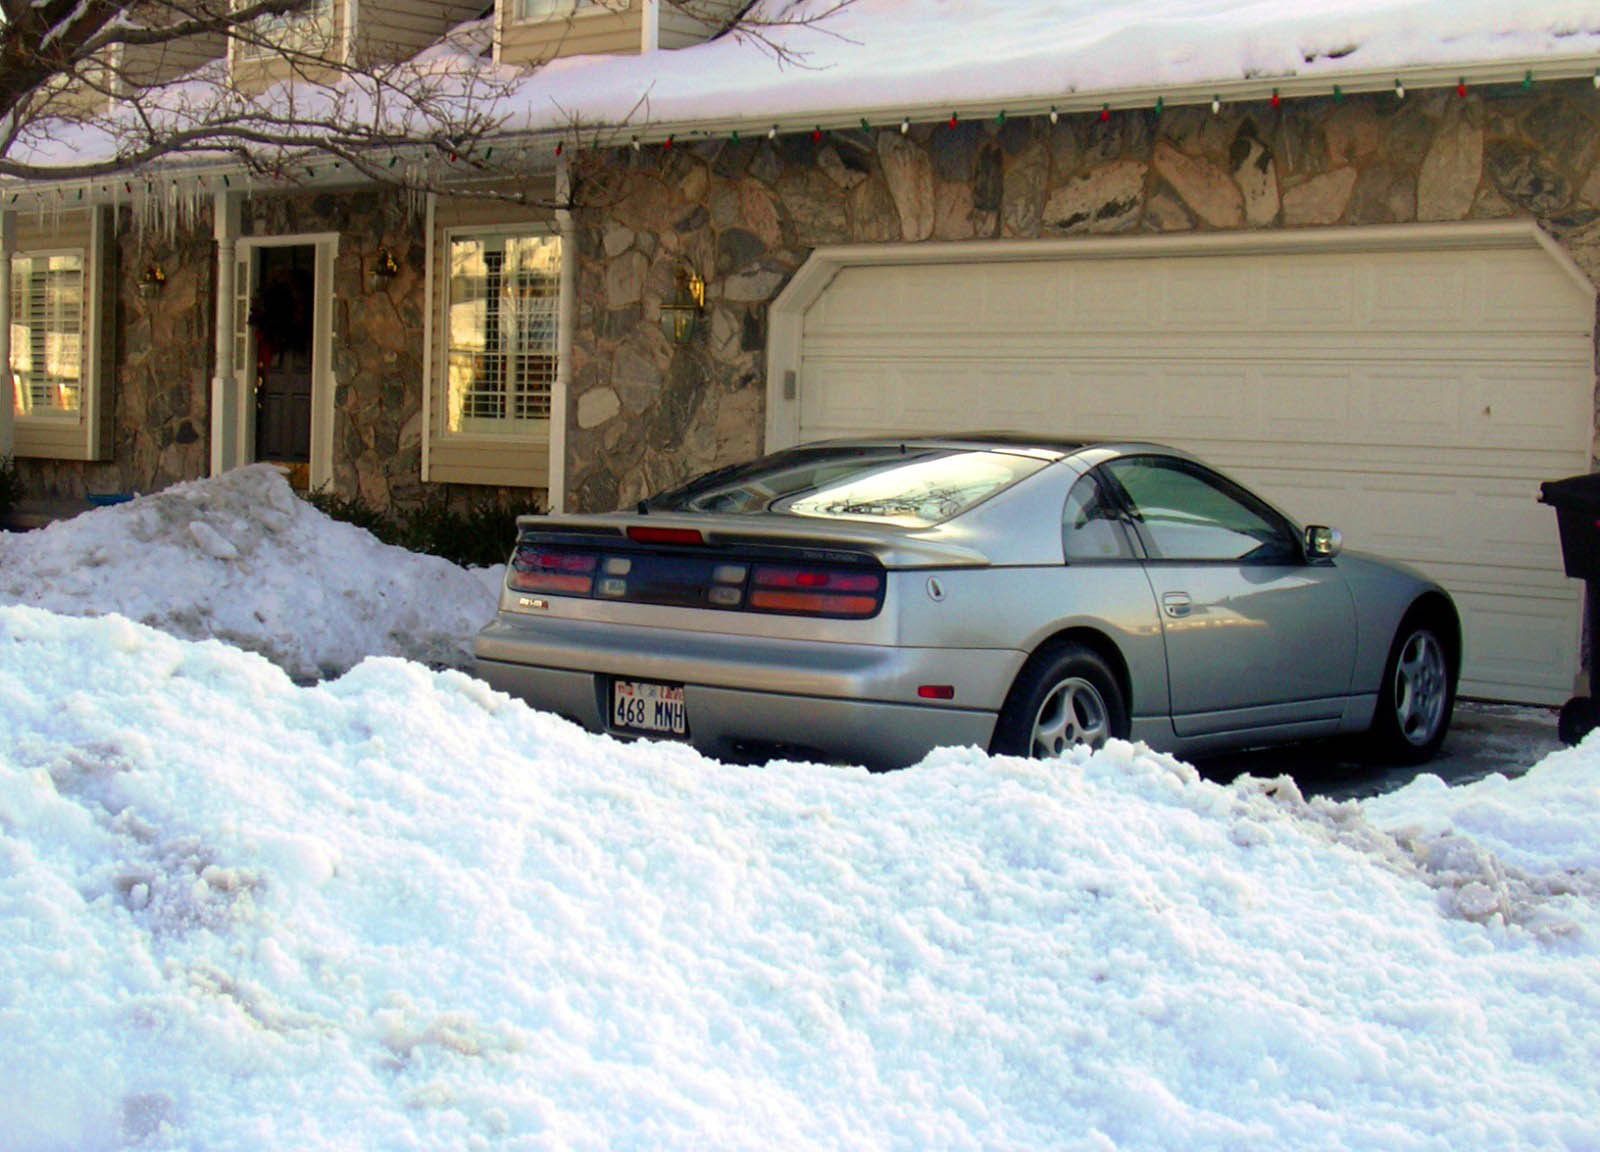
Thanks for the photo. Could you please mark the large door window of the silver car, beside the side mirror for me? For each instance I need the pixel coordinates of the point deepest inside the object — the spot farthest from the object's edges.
(1188, 513)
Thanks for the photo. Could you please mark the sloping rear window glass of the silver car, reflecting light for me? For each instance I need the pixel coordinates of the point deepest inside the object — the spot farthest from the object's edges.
(914, 487)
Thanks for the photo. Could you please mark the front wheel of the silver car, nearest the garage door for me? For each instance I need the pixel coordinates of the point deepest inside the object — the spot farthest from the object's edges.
(1417, 695)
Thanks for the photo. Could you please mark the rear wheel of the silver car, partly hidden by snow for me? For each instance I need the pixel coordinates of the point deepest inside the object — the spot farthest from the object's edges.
(1065, 695)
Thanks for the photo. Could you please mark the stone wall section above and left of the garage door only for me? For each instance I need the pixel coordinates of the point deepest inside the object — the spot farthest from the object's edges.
(746, 215)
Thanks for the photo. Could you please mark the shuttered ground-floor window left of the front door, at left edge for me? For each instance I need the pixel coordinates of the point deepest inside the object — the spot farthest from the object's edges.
(47, 334)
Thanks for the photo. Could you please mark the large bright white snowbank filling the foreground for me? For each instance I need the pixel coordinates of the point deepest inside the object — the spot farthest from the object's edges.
(404, 911)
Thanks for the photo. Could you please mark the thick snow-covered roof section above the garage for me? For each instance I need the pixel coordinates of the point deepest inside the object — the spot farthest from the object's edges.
(921, 60)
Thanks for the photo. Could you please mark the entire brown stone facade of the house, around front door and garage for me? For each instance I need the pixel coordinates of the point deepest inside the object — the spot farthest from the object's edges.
(746, 215)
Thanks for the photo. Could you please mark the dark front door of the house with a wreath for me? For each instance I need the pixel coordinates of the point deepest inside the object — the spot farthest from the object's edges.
(282, 313)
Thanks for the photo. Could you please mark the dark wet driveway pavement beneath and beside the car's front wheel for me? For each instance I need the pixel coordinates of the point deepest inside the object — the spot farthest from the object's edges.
(1484, 740)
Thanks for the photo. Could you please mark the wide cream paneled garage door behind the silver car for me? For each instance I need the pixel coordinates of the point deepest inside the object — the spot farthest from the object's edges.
(1412, 394)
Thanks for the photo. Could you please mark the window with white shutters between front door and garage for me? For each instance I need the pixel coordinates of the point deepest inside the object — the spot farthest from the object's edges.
(502, 326)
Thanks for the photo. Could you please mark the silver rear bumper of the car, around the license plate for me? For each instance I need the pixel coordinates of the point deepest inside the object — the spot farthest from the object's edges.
(753, 700)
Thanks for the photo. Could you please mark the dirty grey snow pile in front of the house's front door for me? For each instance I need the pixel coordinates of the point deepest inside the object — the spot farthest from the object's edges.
(242, 559)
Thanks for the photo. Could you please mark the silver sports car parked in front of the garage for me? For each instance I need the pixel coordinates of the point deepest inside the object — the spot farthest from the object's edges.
(870, 601)
